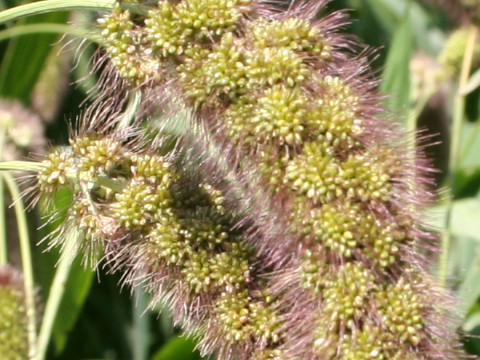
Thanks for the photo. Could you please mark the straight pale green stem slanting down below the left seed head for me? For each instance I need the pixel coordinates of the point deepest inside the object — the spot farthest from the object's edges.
(55, 295)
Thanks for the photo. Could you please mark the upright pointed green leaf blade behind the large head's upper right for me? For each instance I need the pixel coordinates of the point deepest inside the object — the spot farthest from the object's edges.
(397, 68)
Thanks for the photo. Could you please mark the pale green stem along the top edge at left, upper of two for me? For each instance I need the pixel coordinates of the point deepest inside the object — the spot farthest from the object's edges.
(46, 6)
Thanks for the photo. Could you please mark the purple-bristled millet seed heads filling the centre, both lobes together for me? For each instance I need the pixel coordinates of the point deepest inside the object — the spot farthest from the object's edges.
(286, 222)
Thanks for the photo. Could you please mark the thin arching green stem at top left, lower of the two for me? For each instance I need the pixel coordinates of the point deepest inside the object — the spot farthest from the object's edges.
(49, 28)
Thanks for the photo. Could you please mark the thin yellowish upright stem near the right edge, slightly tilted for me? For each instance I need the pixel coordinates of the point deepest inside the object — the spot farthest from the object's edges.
(458, 118)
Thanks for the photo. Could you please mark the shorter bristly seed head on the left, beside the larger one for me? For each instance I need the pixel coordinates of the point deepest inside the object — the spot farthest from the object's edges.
(172, 234)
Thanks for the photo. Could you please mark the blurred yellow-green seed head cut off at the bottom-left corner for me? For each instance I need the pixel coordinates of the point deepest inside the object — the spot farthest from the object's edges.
(13, 316)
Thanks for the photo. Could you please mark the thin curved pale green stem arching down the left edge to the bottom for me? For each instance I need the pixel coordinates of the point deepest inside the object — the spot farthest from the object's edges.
(27, 267)
